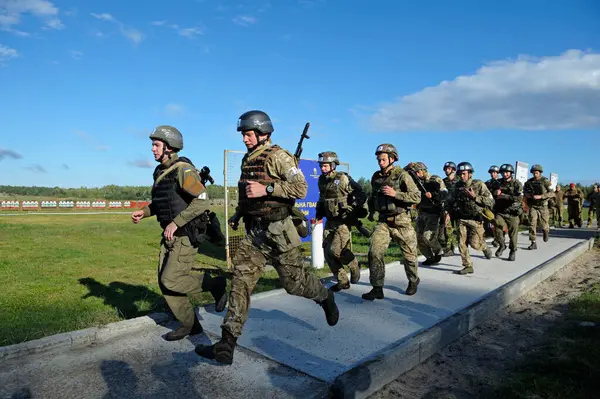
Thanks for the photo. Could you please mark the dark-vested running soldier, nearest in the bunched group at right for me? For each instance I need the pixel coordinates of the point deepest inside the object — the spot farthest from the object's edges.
(468, 200)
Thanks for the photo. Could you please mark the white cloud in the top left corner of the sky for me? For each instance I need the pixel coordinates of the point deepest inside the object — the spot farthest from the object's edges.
(12, 10)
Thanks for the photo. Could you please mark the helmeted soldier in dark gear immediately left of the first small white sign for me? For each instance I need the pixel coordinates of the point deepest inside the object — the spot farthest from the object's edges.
(508, 207)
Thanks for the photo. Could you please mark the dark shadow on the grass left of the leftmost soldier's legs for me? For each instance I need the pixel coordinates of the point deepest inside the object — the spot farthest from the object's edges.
(123, 297)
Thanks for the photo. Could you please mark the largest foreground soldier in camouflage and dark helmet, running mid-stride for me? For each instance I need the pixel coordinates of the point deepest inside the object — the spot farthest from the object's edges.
(269, 184)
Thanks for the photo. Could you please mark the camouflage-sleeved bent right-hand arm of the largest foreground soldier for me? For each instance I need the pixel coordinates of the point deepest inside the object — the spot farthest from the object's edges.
(293, 184)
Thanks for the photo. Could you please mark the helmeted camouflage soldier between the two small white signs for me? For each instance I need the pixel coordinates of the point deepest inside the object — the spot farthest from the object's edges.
(537, 191)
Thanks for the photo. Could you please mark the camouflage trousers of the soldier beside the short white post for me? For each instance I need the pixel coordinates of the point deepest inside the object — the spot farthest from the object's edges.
(336, 245)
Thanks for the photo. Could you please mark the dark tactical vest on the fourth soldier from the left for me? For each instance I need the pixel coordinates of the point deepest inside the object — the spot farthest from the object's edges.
(385, 204)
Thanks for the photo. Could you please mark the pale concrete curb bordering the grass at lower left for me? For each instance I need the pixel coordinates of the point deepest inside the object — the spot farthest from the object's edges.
(82, 338)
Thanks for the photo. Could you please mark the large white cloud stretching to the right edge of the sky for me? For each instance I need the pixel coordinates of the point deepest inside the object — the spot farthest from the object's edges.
(547, 93)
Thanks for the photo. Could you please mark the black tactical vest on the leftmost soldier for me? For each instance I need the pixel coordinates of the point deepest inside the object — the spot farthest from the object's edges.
(168, 198)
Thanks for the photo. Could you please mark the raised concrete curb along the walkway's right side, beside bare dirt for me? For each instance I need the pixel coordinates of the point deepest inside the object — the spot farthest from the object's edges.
(375, 372)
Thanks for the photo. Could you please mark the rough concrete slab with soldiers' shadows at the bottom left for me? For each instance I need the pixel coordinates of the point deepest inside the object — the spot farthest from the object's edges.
(145, 366)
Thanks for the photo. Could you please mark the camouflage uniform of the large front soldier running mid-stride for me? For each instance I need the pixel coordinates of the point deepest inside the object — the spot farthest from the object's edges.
(271, 237)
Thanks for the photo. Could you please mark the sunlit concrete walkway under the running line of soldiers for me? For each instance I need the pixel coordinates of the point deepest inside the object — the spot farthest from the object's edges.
(293, 331)
